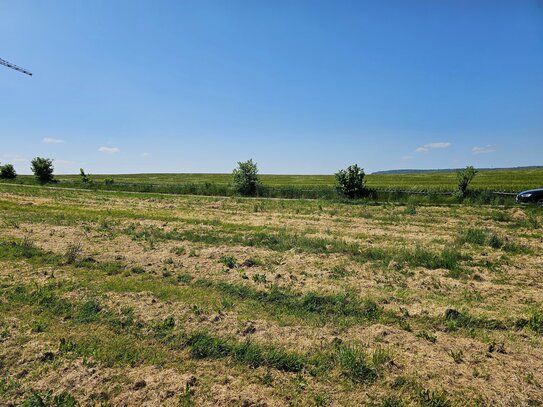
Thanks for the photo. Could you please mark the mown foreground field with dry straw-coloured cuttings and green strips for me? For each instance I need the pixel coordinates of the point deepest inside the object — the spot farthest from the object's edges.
(116, 299)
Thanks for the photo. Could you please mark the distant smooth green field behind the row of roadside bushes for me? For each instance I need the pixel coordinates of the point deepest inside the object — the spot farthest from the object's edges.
(498, 180)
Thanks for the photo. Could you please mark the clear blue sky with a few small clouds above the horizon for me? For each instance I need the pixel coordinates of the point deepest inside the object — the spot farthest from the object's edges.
(300, 86)
